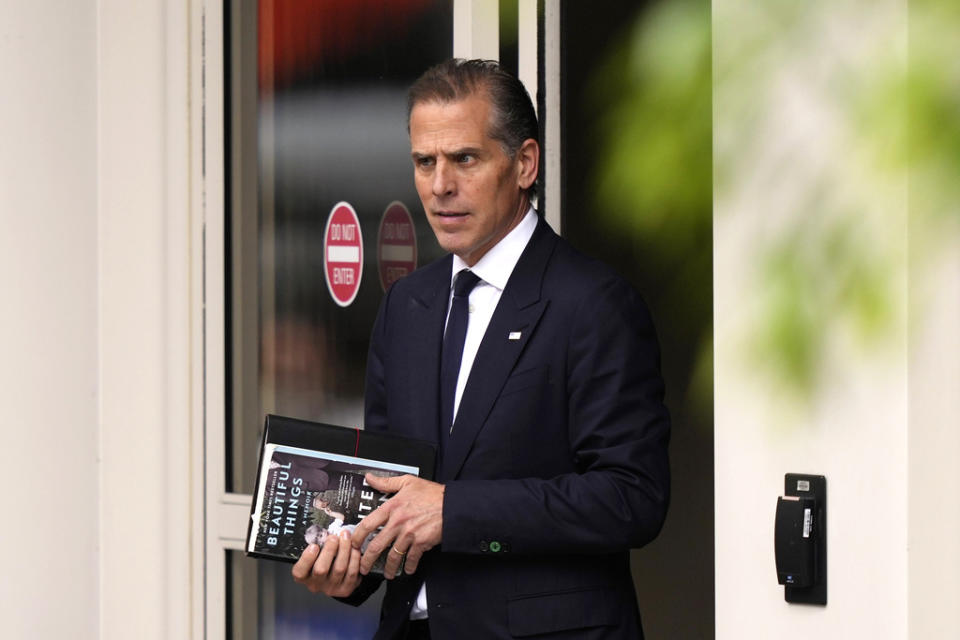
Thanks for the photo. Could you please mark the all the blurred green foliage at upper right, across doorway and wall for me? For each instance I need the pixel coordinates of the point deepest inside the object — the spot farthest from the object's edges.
(825, 261)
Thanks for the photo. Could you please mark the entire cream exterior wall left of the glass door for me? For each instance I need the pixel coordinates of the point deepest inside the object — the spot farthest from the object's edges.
(100, 316)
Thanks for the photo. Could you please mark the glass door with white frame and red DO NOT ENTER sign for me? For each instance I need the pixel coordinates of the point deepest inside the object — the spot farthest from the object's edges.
(320, 215)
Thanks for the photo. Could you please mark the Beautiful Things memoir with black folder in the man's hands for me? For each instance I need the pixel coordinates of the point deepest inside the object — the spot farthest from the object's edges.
(311, 483)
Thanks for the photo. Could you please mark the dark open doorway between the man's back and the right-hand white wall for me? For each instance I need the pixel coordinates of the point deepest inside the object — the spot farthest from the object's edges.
(636, 130)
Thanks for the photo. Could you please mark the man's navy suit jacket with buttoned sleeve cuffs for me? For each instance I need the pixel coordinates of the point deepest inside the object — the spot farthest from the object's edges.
(557, 462)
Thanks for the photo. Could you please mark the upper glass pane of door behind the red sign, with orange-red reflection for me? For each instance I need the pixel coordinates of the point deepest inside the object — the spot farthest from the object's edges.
(323, 106)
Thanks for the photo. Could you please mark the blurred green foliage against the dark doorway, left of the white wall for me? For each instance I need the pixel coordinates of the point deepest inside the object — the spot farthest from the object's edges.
(653, 175)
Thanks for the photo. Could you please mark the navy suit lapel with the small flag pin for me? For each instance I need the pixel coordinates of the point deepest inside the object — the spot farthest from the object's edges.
(513, 323)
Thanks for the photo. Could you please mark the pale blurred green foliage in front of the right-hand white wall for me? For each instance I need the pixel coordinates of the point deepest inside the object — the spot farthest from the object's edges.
(839, 132)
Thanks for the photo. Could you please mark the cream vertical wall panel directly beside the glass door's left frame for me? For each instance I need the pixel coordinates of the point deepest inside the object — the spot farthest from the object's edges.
(150, 490)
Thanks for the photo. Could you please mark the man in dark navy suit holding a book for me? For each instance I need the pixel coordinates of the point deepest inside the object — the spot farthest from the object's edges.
(550, 425)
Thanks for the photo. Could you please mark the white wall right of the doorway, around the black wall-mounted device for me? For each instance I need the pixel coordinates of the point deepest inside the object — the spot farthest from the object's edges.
(799, 165)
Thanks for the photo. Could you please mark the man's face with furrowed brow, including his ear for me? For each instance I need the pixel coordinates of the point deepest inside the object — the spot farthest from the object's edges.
(471, 190)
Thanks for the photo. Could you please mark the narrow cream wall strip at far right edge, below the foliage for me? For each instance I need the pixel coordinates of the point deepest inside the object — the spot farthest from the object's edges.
(934, 445)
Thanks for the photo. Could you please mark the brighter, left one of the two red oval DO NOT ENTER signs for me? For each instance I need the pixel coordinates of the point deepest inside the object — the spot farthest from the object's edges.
(343, 254)
